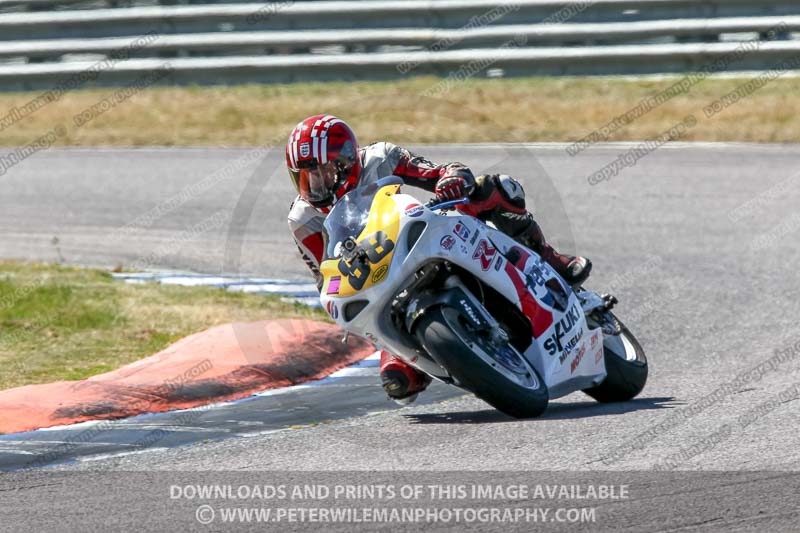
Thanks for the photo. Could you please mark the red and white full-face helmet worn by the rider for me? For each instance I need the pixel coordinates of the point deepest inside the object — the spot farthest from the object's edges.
(322, 158)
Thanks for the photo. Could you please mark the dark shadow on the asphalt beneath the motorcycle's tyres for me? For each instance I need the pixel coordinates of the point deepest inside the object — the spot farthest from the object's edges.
(555, 411)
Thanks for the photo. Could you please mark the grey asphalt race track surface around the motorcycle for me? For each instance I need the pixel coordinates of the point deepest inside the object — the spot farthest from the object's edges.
(699, 243)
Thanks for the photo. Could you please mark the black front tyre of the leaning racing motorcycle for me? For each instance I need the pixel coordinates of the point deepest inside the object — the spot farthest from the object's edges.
(442, 334)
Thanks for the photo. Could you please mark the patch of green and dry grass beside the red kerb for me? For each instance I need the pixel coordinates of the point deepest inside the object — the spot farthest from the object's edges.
(66, 323)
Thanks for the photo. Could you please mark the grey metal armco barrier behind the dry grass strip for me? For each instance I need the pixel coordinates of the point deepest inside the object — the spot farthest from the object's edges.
(284, 41)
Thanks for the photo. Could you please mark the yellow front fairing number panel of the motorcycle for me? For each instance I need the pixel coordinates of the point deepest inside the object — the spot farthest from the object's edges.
(384, 216)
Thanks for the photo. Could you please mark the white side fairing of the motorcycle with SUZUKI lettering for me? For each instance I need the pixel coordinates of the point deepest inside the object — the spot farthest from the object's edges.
(565, 352)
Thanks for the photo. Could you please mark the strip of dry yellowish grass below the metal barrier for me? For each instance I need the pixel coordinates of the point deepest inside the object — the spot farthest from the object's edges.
(476, 110)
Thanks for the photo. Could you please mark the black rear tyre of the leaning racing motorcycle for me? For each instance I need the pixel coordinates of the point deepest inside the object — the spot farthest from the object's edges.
(626, 366)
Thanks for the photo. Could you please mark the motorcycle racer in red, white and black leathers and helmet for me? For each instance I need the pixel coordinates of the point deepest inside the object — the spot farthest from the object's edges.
(325, 162)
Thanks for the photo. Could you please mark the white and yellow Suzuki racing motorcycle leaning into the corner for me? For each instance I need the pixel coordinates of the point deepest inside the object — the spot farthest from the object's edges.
(469, 306)
